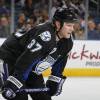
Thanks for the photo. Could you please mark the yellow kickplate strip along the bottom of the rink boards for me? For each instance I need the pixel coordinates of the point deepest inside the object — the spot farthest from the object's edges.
(77, 72)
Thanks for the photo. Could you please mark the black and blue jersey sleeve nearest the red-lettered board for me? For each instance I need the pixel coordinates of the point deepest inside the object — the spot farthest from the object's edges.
(65, 47)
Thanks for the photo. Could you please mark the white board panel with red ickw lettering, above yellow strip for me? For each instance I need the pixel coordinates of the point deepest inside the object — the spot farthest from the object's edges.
(85, 53)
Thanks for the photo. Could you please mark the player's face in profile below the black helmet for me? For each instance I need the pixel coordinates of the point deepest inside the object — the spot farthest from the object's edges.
(66, 30)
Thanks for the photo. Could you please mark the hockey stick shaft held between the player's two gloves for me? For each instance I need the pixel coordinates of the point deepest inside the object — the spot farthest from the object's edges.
(32, 90)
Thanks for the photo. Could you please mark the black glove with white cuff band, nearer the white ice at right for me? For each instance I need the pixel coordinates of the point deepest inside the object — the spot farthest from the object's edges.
(55, 84)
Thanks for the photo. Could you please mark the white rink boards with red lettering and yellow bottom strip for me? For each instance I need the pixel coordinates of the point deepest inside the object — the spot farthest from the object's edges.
(84, 59)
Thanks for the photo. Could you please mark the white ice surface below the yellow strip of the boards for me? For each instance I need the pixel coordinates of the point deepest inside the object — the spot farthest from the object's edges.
(79, 88)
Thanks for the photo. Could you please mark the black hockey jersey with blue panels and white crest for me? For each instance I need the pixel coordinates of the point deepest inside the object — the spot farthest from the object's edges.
(36, 49)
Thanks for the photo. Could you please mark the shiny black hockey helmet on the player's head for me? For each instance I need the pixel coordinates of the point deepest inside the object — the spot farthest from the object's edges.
(67, 14)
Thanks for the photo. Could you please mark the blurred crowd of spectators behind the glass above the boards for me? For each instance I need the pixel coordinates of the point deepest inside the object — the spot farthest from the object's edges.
(16, 14)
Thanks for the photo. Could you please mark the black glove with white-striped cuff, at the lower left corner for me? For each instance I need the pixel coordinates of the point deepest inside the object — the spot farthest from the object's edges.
(10, 87)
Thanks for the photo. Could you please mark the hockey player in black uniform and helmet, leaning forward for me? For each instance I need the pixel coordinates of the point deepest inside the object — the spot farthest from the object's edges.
(28, 53)
